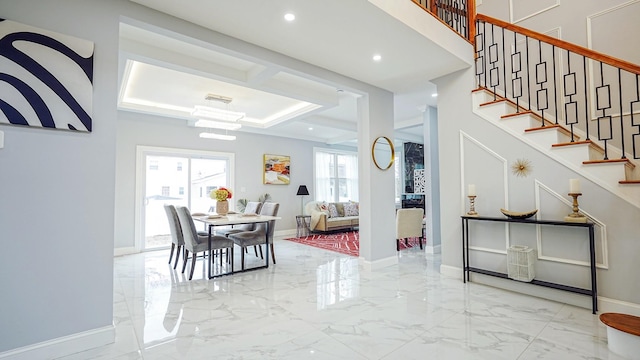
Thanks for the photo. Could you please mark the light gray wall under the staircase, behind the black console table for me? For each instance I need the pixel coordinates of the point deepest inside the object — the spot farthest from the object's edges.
(487, 151)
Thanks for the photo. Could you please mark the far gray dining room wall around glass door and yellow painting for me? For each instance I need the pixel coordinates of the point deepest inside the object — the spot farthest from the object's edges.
(139, 129)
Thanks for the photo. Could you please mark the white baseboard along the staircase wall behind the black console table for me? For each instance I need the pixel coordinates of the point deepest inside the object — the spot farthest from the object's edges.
(604, 304)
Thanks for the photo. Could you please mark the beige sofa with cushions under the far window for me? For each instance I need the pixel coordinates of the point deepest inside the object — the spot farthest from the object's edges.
(332, 216)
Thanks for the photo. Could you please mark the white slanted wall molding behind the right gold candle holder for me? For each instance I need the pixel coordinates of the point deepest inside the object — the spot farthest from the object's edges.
(600, 231)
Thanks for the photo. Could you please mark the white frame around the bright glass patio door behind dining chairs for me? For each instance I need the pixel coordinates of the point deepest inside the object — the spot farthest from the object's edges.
(142, 151)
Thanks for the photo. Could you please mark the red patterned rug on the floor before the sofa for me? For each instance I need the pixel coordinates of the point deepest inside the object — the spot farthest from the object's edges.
(344, 243)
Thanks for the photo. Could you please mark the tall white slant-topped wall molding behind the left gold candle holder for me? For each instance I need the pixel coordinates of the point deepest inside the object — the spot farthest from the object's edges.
(467, 178)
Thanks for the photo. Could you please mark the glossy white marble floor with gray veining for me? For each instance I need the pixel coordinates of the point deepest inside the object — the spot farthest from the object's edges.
(316, 304)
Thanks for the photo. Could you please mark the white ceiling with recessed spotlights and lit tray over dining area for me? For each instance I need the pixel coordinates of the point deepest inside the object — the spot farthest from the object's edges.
(168, 75)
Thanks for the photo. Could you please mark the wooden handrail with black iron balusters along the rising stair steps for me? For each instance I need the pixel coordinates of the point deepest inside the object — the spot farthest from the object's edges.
(589, 93)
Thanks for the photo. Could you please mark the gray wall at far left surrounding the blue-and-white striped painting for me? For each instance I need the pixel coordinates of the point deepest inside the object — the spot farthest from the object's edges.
(56, 196)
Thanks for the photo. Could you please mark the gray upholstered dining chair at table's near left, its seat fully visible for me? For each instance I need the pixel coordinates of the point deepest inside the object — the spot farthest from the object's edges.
(196, 243)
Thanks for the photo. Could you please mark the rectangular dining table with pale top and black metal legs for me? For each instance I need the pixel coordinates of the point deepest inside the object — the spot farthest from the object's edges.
(212, 221)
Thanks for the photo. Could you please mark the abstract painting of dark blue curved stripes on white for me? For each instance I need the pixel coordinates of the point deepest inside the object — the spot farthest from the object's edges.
(46, 78)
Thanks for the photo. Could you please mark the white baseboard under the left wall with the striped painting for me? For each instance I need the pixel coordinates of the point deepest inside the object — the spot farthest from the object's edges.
(63, 346)
